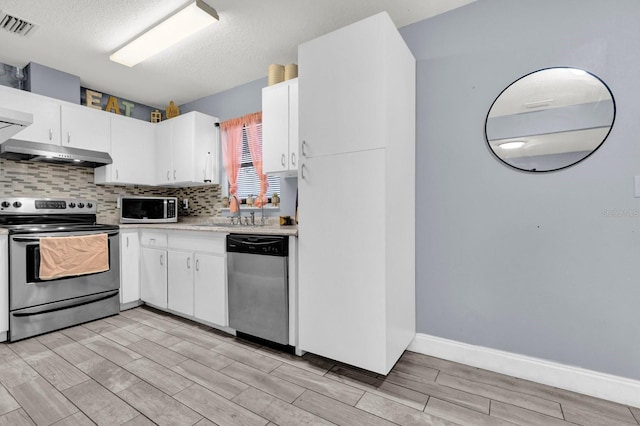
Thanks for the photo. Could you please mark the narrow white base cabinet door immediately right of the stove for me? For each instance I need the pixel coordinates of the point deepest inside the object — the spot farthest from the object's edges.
(129, 267)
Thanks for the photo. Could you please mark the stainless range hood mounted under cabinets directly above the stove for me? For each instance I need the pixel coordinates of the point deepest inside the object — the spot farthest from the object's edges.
(56, 154)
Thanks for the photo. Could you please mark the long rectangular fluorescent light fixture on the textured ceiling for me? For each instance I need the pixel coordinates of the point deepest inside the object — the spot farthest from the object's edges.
(187, 21)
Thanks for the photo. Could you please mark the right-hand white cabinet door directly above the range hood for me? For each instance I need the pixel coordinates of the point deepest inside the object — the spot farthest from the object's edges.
(85, 128)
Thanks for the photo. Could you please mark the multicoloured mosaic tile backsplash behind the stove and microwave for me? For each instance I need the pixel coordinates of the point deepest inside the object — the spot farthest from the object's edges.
(26, 179)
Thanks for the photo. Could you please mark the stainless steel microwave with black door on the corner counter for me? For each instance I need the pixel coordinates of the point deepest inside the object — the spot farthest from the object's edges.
(148, 209)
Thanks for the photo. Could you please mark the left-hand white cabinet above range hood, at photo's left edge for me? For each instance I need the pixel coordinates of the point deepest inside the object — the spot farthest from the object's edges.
(46, 115)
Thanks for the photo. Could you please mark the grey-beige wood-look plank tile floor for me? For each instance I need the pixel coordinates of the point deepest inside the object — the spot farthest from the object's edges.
(145, 367)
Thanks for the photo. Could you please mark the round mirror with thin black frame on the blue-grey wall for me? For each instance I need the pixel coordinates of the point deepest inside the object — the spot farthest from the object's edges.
(550, 119)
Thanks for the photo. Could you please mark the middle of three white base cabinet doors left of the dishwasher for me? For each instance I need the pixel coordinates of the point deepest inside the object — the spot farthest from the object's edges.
(180, 290)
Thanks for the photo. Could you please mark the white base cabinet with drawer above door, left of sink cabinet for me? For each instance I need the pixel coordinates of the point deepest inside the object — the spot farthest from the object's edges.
(153, 269)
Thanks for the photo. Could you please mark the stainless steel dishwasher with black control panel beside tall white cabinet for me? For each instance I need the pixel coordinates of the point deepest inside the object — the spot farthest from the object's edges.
(258, 285)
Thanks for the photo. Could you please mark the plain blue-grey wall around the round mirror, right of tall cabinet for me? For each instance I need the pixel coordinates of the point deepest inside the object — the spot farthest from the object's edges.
(534, 264)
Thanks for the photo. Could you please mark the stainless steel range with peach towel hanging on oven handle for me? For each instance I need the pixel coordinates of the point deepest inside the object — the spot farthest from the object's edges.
(37, 304)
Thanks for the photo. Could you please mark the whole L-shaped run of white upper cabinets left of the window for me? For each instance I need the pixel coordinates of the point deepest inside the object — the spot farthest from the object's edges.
(182, 151)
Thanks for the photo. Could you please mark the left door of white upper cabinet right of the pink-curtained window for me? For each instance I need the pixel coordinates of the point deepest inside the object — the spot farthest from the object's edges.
(275, 128)
